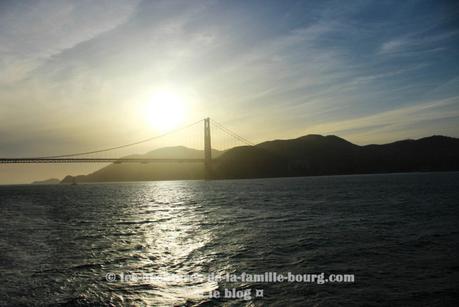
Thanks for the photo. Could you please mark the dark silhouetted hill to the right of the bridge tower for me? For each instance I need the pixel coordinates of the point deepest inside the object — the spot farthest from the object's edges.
(329, 155)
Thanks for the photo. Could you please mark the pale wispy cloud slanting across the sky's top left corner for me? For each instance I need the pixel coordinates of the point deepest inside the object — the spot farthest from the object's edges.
(32, 32)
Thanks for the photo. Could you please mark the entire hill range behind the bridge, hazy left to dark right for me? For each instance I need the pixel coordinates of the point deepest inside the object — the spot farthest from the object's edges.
(304, 156)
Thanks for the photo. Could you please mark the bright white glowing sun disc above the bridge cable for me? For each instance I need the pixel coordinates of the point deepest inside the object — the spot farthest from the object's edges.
(166, 110)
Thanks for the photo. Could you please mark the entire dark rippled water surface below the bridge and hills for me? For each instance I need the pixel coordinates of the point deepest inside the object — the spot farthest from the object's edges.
(398, 233)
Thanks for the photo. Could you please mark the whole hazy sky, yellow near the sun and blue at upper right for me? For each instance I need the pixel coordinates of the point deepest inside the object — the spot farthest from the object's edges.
(81, 75)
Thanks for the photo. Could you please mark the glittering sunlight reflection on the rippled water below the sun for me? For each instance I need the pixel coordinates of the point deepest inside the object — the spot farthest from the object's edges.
(169, 222)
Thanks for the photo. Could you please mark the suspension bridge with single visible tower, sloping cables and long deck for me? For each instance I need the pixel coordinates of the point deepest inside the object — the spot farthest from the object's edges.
(77, 157)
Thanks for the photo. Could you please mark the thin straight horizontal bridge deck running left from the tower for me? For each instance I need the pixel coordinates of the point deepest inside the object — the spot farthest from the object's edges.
(92, 160)
